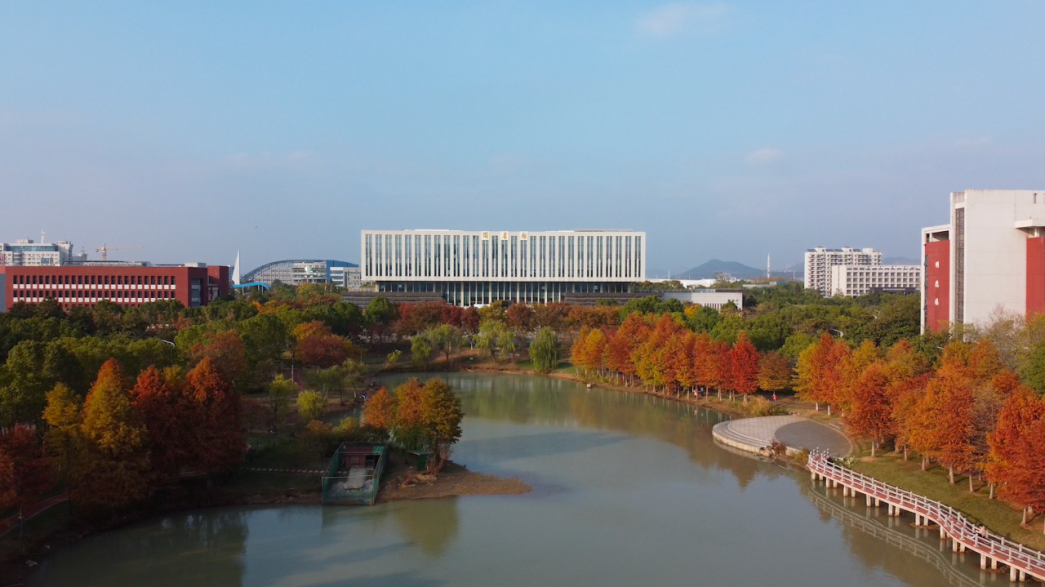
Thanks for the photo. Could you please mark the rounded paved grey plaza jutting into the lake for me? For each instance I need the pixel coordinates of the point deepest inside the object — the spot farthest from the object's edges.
(754, 435)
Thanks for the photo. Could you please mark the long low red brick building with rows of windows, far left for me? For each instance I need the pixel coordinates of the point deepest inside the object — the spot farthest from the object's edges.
(123, 285)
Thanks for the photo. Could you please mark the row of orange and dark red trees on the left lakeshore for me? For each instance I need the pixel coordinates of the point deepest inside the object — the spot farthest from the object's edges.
(119, 443)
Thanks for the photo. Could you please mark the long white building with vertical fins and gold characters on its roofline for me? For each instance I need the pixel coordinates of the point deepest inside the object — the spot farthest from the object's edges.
(471, 268)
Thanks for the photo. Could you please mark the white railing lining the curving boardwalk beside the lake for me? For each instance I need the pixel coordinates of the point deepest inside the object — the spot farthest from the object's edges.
(953, 522)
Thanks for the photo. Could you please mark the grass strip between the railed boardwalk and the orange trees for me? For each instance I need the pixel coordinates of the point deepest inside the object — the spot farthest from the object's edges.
(934, 484)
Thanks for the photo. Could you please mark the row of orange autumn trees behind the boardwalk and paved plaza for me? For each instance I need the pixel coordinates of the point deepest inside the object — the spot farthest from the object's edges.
(970, 413)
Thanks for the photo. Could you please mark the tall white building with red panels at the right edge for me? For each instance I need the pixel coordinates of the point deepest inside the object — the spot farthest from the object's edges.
(990, 257)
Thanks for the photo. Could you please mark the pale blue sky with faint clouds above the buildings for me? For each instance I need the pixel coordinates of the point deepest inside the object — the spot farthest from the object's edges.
(725, 130)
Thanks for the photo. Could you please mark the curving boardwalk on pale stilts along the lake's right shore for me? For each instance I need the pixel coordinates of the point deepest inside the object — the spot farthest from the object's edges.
(994, 550)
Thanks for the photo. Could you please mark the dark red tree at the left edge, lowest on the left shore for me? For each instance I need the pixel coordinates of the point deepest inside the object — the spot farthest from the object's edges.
(26, 476)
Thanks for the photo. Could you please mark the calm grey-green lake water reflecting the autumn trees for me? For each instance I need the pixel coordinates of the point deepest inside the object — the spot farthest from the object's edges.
(629, 490)
